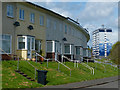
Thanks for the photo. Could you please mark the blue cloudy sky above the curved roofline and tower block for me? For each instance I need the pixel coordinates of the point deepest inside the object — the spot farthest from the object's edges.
(91, 14)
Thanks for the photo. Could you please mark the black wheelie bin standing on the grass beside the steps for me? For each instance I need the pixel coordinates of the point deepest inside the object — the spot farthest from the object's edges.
(42, 76)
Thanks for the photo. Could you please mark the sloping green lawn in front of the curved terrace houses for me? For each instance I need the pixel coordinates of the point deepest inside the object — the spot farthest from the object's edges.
(11, 79)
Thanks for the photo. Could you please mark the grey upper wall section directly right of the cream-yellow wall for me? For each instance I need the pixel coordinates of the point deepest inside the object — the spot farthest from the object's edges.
(54, 34)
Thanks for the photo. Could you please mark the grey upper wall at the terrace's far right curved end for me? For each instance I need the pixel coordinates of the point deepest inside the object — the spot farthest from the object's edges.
(75, 36)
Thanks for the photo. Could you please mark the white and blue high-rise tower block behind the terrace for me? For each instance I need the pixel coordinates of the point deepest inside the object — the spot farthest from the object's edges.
(101, 42)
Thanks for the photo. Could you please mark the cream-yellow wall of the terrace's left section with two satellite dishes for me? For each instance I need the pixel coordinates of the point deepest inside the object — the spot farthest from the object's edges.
(38, 31)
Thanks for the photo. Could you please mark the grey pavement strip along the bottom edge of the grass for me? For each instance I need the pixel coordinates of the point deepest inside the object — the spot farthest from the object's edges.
(85, 84)
